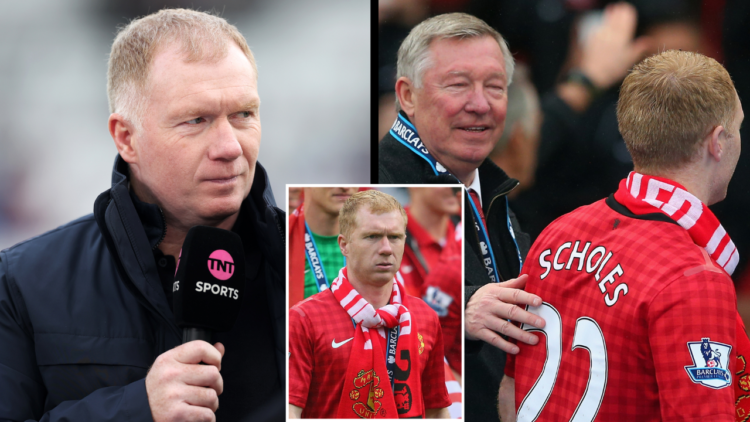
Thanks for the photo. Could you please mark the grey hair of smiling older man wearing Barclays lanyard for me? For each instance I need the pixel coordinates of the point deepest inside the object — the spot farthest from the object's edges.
(414, 54)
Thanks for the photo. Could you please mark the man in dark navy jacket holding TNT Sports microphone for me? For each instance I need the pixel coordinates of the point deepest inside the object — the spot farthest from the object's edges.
(86, 319)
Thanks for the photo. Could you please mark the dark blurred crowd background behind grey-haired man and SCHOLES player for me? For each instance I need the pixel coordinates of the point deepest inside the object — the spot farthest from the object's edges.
(563, 143)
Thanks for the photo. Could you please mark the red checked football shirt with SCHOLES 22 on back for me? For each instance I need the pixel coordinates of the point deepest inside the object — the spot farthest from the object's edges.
(640, 324)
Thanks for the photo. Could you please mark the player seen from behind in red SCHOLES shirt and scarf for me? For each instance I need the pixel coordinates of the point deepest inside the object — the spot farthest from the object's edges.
(639, 303)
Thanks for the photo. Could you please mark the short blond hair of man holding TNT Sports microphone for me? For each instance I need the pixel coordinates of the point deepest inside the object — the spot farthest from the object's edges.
(200, 35)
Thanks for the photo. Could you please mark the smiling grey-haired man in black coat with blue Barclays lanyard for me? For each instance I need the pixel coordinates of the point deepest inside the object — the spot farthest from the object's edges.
(453, 74)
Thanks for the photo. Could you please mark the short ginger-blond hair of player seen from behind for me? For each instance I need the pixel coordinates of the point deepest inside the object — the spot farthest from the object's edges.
(669, 103)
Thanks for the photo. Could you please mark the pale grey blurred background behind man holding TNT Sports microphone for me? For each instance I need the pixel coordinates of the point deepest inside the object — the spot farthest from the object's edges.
(56, 154)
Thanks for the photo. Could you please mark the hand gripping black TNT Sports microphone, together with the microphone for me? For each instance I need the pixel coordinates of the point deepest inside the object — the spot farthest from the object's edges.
(184, 383)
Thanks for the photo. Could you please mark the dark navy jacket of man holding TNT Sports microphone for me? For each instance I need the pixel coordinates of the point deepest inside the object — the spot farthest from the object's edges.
(83, 315)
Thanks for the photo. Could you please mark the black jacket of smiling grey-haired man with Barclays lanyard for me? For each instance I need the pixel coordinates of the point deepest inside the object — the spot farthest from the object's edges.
(484, 364)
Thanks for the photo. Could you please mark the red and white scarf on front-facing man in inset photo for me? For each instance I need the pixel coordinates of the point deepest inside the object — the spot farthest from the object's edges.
(367, 389)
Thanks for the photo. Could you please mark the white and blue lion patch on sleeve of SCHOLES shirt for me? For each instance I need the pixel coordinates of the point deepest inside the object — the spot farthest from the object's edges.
(710, 363)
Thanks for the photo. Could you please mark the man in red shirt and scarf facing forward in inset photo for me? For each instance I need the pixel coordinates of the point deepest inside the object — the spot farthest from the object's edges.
(364, 348)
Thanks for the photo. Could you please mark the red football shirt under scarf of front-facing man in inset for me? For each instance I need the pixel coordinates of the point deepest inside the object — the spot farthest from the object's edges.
(320, 342)
